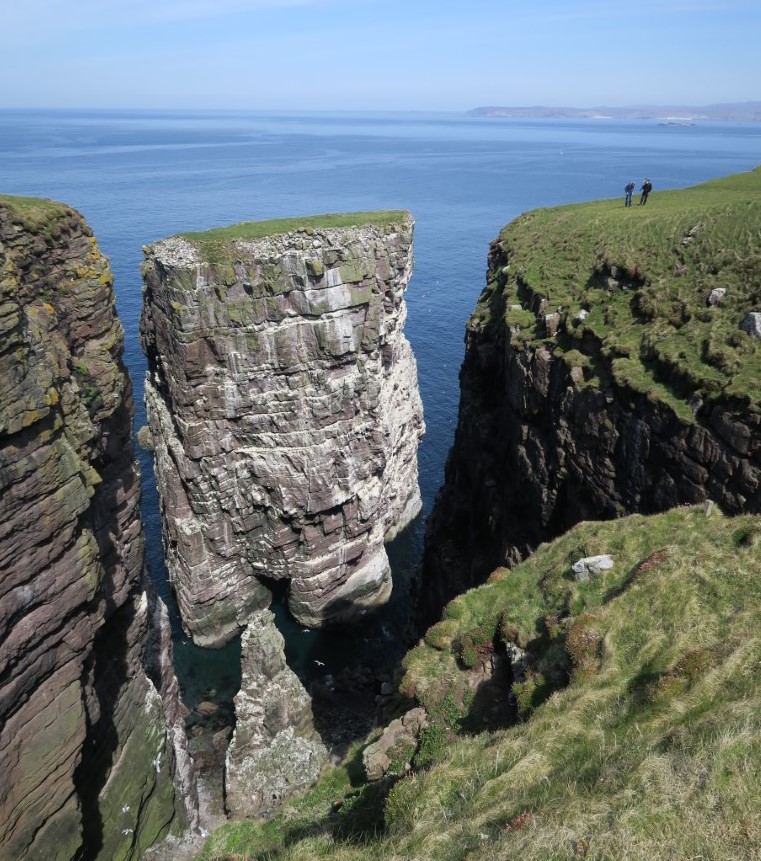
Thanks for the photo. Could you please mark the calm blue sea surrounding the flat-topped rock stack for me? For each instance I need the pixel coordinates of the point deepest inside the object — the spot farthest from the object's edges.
(138, 176)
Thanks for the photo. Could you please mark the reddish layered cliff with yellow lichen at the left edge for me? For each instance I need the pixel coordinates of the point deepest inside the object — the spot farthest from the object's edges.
(88, 753)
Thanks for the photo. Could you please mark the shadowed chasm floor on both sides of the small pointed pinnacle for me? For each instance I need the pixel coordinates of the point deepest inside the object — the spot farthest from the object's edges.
(349, 670)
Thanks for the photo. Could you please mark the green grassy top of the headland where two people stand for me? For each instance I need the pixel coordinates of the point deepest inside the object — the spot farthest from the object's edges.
(627, 290)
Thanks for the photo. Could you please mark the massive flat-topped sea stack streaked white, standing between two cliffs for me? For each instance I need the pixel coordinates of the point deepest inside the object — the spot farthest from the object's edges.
(283, 403)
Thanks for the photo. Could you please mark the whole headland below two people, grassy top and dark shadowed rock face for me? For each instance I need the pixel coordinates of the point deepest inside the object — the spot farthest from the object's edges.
(607, 371)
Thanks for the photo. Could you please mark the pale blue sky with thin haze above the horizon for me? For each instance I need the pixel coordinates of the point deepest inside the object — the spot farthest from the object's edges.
(449, 55)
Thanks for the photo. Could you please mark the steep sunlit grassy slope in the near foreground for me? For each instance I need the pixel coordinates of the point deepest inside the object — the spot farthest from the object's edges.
(635, 732)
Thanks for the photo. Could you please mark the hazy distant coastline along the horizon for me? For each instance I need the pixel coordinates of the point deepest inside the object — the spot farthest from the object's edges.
(736, 111)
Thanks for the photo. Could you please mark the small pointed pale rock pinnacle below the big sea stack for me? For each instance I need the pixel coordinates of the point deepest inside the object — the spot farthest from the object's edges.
(275, 750)
